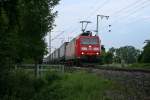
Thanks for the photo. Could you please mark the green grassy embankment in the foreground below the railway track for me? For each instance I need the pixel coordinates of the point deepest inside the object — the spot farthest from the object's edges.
(56, 86)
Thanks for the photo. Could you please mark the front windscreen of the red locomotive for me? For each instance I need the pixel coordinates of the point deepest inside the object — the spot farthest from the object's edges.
(89, 41)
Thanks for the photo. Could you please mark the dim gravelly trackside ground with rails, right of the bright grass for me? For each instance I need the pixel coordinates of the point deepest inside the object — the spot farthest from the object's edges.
(135, 80)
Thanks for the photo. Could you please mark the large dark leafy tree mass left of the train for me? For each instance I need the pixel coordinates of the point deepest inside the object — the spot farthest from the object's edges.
(23, 26)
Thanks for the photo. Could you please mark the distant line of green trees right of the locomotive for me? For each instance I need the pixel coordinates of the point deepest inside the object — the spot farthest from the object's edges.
(126, 54)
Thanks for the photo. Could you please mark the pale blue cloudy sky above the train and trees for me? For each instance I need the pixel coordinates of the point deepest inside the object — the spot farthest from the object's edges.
(129, 20)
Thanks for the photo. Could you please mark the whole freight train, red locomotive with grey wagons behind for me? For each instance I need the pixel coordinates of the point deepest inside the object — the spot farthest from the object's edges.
(85, 48)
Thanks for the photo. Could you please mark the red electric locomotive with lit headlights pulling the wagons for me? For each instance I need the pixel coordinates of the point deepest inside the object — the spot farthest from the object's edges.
(84, 48)
